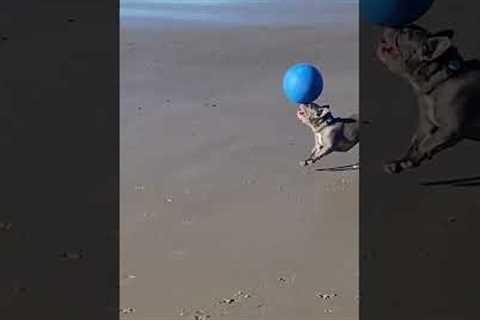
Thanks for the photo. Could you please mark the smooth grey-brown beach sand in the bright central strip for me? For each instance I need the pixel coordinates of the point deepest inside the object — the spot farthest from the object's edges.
(213, 200)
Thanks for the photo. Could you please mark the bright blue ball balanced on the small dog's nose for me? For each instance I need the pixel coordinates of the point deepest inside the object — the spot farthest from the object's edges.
(302, 83)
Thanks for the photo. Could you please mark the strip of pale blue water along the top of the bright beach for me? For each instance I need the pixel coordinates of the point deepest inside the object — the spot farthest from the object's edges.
(239, 12)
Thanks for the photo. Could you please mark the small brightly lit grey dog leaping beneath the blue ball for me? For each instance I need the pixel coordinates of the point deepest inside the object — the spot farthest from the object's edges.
(331, 134)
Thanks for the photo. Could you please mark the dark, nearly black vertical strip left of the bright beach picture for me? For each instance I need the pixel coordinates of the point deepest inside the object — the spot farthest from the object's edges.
(59, 159)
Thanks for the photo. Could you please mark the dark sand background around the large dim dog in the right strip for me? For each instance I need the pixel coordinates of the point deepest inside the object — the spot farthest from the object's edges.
(419, 230)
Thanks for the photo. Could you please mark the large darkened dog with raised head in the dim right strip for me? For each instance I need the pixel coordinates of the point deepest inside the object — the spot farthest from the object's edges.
(446, 86)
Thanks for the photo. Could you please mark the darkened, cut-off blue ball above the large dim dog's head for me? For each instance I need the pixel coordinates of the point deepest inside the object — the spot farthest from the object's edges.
(393, 13)
